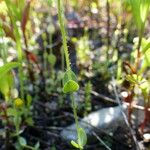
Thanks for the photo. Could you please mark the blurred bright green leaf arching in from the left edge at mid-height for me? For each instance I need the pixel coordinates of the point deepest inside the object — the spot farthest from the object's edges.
(7, 67)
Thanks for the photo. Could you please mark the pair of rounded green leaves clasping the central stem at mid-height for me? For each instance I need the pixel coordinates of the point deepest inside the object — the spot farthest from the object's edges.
(70, 82)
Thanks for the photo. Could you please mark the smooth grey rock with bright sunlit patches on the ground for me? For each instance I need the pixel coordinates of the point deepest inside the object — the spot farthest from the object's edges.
(107, 119)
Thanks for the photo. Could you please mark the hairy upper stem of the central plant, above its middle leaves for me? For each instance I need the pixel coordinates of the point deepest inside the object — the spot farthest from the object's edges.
(63, 32)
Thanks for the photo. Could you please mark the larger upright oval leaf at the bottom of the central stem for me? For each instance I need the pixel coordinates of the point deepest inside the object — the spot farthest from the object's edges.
(82, 139)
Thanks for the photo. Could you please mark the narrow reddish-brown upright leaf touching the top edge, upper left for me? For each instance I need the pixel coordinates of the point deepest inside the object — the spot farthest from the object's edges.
(25, 16)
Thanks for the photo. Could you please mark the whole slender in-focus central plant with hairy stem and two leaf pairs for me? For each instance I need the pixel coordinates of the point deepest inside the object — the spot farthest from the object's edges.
(70, 84)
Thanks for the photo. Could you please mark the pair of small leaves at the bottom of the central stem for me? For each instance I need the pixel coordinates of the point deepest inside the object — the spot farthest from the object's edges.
(82, 139)
